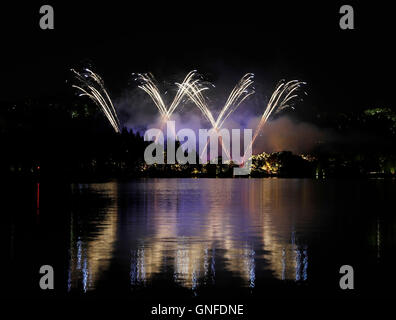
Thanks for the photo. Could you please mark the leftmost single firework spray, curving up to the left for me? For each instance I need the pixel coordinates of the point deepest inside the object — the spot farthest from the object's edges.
(93, 87)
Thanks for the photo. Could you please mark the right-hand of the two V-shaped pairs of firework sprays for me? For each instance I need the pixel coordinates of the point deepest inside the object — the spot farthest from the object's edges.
(242, 90)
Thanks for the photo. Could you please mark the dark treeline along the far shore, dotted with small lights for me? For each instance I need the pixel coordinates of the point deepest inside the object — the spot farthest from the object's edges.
(72, 140)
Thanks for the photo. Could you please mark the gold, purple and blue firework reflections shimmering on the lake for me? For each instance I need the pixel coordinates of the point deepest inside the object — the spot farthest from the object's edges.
(196, 230)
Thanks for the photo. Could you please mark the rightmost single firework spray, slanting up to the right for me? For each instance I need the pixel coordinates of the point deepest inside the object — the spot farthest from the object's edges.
(284, 93)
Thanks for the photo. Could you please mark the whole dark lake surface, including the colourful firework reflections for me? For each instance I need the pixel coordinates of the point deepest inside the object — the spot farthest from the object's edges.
(159, 239)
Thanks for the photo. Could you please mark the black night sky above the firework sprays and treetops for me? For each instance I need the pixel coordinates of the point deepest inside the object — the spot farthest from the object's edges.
(345, 69)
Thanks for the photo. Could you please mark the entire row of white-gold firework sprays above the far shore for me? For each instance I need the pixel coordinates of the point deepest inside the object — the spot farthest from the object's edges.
(92, 86)
